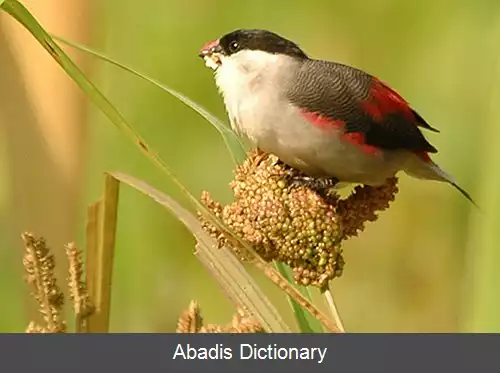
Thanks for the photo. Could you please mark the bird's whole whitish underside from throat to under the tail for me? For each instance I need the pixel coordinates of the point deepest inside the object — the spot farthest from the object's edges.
(253, 85)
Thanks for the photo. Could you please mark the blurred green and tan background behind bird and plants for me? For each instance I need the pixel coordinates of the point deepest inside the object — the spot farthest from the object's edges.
(428, 265)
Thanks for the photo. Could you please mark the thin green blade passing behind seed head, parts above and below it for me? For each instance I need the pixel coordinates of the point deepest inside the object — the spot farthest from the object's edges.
(305, 321)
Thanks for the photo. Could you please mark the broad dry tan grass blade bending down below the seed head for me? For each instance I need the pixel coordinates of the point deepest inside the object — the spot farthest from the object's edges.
(233, 277)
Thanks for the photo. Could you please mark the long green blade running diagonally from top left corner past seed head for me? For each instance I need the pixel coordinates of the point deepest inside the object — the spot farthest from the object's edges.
(24, 17)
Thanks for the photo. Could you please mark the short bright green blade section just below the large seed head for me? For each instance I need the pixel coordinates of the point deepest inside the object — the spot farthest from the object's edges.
(306, 322)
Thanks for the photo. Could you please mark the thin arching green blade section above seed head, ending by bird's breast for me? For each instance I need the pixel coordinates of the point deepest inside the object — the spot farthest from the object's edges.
(232, 141)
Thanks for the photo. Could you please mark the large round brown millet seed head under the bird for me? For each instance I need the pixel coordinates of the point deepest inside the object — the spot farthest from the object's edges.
(294, 225)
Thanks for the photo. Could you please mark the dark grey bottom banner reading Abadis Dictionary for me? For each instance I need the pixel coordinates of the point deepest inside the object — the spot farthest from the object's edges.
(151, 353)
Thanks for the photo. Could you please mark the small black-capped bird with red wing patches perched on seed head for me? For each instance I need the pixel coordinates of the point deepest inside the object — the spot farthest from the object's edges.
(333, 122)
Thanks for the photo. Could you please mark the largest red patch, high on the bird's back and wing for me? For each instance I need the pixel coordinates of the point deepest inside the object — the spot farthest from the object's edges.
(384, 100)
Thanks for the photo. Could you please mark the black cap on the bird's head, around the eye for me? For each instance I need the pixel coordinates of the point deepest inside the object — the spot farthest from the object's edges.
(263, 40)
